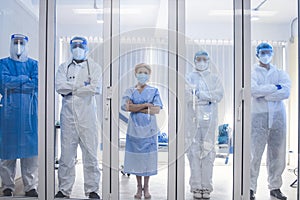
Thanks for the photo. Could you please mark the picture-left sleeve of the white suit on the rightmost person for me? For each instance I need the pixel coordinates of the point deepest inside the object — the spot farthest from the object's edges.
(257, 90)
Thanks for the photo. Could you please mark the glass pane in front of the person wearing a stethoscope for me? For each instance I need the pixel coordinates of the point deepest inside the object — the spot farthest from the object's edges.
(78, 101)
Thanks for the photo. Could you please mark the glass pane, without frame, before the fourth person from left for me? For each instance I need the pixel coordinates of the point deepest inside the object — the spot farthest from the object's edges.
(209, 99)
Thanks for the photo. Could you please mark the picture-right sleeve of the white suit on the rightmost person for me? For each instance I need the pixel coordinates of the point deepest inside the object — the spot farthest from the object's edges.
(284, 92)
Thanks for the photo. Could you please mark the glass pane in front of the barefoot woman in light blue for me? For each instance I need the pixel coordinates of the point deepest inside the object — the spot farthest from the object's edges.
(142, 114)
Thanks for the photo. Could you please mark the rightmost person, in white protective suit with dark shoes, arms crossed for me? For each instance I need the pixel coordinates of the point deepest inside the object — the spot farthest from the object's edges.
(269, 87)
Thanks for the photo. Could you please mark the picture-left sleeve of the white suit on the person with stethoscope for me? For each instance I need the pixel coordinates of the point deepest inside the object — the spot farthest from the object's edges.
(62, 85)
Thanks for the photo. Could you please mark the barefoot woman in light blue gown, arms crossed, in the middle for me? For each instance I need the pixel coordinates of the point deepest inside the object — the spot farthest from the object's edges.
(143, 102)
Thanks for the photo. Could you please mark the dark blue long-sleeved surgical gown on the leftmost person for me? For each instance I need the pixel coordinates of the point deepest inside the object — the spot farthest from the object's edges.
(18, 130)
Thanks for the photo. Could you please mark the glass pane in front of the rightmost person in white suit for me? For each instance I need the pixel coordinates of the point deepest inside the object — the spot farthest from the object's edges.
(274, 93)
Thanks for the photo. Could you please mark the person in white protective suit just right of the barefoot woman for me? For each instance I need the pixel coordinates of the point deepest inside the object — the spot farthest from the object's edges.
(204, 91)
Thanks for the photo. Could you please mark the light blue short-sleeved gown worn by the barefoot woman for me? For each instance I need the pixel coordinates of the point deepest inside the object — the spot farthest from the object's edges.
(141, 138)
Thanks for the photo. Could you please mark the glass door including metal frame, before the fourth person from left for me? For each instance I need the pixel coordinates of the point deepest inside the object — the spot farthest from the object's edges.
(213, 87)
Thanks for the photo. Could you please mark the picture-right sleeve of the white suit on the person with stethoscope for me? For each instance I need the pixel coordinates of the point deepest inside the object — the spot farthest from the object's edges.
(95, 85)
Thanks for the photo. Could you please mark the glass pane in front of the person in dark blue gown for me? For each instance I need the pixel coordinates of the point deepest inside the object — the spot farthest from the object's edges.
(18, 98)
